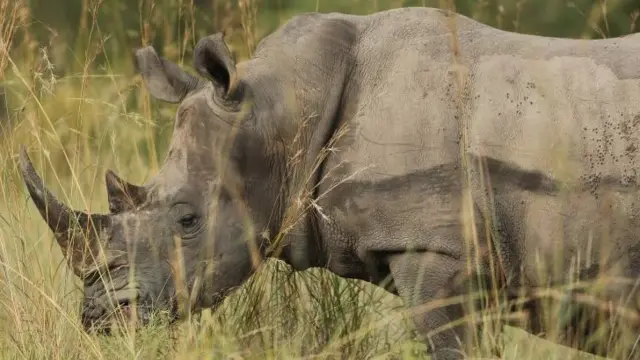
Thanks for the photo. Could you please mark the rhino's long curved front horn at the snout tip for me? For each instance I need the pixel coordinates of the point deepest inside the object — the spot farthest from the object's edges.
(76, 232)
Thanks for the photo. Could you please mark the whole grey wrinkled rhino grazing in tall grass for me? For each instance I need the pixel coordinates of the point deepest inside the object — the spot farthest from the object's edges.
(553, 123)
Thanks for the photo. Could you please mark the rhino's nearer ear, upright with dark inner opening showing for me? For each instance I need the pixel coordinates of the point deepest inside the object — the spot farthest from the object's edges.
(213, 60)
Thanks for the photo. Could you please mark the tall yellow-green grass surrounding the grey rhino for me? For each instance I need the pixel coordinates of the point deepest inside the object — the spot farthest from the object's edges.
(66, 69)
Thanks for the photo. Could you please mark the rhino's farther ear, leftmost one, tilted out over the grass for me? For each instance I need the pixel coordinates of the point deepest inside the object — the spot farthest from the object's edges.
(163, 79)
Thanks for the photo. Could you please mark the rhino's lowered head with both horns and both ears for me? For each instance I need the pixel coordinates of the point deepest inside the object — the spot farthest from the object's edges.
(194, 230)
